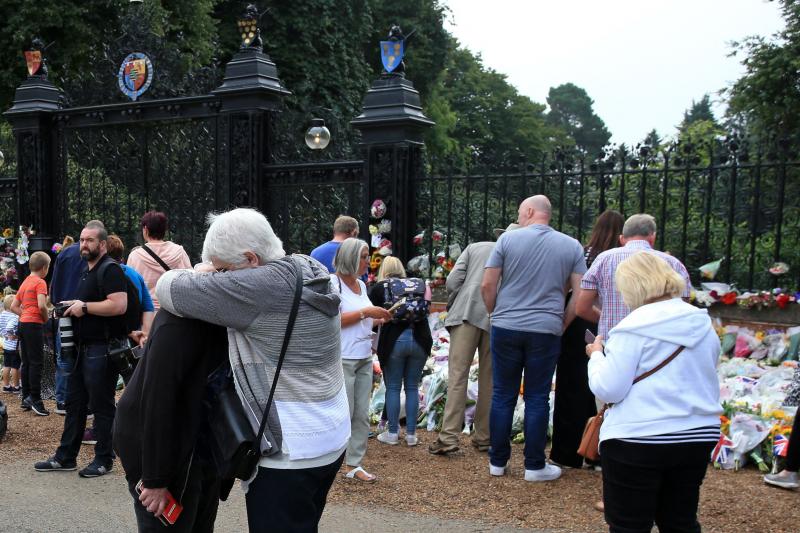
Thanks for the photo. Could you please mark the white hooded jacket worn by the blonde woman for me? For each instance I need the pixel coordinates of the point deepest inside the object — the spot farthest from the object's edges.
(682, 395)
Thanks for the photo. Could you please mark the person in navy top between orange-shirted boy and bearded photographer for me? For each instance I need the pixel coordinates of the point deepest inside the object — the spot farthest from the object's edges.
(63, 287)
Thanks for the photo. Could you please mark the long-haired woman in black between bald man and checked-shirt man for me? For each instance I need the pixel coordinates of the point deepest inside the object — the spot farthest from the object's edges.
(574, 402)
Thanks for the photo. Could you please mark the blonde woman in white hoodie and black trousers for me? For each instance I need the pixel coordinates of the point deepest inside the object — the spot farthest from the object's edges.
(656, 439)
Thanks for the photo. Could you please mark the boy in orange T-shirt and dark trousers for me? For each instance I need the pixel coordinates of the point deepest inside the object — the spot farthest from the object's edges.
(30, 304)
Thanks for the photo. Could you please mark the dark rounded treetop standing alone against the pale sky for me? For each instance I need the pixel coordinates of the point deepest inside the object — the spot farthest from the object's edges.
(571, 110)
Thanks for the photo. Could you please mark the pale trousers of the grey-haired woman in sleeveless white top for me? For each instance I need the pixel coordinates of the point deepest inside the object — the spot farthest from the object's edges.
(358, 383)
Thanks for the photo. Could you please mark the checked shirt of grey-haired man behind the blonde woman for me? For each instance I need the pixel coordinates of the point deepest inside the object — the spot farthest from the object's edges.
(600, 278)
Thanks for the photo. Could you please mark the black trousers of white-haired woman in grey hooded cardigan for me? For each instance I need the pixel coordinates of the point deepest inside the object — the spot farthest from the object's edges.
(289, 500)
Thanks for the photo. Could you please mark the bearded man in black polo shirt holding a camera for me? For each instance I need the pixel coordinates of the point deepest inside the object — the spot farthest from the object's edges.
(99, 324)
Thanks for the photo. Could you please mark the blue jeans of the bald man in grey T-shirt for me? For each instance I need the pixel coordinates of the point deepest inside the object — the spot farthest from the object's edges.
(537, 354)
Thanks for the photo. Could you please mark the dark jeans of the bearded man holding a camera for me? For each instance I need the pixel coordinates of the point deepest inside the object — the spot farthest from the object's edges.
(92, 383)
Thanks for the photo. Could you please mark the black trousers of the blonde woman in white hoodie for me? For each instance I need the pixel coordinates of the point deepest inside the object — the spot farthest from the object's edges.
(646, 483)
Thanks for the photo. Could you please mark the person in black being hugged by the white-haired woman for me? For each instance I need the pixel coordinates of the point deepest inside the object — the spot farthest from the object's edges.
(161, 430)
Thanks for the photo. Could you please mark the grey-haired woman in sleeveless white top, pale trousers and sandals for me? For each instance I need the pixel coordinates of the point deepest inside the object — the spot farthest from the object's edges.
(358, 316)
